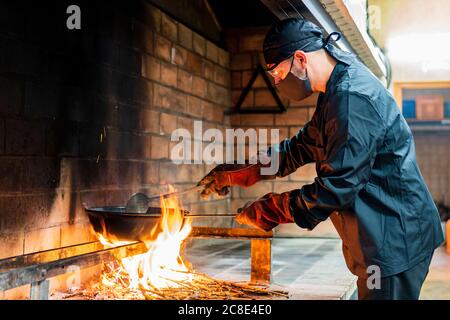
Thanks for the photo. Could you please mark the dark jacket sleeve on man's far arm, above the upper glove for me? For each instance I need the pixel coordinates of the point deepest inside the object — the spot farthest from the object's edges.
(298, 150)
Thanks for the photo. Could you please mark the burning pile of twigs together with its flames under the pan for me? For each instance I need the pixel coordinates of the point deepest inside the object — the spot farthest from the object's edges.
(161, 272)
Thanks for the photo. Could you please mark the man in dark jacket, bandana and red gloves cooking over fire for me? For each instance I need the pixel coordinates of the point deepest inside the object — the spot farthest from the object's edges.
(368, 181)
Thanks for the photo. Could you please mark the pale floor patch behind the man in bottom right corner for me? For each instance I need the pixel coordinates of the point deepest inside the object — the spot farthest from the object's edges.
(437, 283)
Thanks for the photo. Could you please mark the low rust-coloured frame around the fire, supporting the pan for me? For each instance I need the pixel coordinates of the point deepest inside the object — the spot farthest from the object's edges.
(36, 268)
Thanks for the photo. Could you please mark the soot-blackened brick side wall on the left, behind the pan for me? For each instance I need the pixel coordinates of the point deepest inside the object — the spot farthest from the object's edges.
(86, 115)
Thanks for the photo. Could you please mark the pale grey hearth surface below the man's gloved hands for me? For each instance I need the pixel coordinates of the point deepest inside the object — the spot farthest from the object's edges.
(308, 268)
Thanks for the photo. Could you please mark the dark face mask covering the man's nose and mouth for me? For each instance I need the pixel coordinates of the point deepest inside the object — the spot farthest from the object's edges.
(294, 87)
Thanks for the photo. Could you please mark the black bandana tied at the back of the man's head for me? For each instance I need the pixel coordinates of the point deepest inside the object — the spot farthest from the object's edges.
(292, 34)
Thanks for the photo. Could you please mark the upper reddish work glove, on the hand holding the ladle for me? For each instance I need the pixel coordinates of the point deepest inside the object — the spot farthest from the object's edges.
(225, 175)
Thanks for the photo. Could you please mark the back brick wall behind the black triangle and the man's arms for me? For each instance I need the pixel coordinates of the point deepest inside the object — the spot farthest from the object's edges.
(245, 47)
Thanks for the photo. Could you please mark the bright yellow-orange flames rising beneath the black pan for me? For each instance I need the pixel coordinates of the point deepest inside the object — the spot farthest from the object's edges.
(162, 266)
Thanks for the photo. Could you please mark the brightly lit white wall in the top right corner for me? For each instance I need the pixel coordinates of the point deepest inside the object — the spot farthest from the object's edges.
(423, 21)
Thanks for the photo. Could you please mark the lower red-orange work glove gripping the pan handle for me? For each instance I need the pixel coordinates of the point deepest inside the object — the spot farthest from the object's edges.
(267, 212)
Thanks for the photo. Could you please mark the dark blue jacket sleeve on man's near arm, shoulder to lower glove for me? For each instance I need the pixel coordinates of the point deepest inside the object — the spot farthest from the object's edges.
(353, 129)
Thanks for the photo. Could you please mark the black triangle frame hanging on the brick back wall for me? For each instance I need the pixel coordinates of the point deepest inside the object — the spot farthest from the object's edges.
(259, 70)
